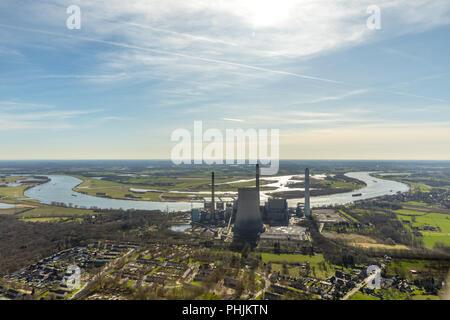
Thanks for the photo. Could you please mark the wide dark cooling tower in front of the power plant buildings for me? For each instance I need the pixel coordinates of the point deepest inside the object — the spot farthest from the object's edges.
(248, 217)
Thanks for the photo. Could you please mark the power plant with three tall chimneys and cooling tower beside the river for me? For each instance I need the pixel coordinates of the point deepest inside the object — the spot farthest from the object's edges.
(246, 219)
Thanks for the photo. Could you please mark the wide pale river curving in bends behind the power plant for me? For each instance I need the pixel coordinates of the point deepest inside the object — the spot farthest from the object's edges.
(59, 189)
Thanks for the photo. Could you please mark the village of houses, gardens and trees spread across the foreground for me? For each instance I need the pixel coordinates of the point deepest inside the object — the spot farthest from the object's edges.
(115, 271)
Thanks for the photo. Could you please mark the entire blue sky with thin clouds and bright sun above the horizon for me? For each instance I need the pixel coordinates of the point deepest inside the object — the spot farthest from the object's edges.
(139, 69)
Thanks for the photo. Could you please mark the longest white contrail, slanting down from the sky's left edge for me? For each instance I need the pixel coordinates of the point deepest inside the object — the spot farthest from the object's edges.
(129, 46)
